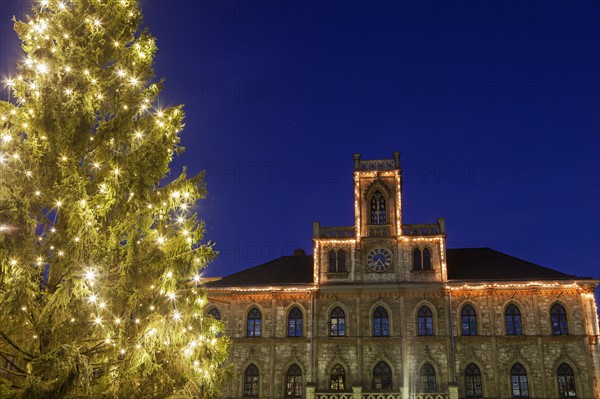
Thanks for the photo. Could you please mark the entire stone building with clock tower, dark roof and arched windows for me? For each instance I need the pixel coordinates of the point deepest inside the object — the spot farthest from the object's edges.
(382, 310)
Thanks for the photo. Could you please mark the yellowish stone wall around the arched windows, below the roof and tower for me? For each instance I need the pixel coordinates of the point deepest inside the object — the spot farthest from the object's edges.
(404, 351)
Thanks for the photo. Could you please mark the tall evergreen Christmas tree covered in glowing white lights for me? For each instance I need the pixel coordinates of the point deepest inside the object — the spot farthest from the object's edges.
(100, 295)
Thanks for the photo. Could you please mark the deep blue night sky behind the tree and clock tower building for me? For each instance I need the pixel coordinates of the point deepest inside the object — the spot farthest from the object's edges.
(494, 107)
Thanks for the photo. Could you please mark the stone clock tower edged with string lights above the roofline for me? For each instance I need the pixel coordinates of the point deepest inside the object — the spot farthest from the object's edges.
(379, 248)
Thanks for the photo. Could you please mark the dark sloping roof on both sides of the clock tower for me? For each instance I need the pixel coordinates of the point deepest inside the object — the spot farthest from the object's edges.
(463, 264)
